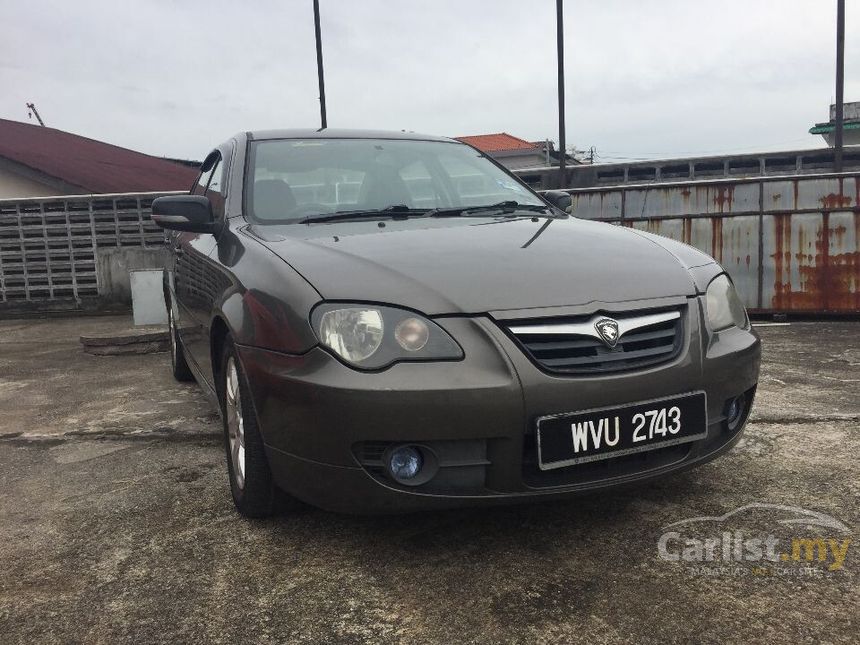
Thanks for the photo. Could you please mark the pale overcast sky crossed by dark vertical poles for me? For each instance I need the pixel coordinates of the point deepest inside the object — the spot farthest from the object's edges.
(654, 78)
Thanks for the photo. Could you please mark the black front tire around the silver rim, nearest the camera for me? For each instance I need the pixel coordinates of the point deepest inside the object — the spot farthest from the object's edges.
(254, 491)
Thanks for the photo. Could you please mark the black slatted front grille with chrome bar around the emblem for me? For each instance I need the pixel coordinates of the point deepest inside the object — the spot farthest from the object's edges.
(573, 345)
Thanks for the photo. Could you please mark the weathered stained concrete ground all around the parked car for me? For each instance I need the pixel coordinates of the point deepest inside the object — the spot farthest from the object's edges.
(116, 524)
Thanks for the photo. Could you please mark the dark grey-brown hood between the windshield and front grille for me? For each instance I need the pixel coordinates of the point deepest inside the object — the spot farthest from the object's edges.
(467, 265)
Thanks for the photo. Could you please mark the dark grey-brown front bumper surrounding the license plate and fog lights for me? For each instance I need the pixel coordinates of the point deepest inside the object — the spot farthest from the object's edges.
(326, 424)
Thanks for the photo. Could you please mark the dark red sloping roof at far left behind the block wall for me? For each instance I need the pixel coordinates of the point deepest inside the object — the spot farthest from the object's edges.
(94, 166)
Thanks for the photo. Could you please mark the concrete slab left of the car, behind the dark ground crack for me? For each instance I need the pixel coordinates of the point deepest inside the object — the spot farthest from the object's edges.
(55, 389)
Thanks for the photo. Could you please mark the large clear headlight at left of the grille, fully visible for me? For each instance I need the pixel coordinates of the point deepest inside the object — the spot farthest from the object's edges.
(372, 337)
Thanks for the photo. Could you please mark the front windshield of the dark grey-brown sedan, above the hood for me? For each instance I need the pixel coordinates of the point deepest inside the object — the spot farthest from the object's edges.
(293, 179)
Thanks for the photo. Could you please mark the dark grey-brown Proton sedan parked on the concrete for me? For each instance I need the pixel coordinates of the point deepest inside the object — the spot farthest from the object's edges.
(391, 322)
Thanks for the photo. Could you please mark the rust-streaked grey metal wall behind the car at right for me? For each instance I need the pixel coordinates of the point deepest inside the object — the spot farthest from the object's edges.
(789, 243)
